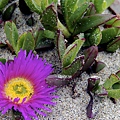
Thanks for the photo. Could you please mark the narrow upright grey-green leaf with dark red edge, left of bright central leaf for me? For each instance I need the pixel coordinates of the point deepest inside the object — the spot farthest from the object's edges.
(61, 46)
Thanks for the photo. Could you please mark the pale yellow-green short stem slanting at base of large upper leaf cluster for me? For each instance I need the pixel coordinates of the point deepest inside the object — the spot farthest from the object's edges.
(63, 29)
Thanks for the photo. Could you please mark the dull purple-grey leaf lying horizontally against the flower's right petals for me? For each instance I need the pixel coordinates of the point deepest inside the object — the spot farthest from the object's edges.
(58, 80)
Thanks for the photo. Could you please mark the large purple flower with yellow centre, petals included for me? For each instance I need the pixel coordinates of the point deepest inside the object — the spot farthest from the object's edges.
(23, 86)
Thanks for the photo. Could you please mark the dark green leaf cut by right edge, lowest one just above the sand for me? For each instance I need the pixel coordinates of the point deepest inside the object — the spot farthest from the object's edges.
(114, 45)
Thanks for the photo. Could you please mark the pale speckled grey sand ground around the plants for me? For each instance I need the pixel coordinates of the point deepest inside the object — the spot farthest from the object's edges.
(68, 108)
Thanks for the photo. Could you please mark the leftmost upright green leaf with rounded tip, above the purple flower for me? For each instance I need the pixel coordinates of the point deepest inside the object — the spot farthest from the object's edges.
(11, 33)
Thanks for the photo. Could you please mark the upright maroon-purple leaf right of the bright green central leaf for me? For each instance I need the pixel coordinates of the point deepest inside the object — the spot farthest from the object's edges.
(90, 55)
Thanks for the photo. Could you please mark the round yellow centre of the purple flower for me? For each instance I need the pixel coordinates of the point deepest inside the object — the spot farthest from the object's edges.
(19, 88)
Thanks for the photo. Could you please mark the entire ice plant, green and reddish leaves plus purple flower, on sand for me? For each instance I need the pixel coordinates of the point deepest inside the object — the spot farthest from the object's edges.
(78, 30)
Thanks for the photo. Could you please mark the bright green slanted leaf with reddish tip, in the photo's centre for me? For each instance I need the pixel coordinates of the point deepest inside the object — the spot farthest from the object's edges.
(71, 52)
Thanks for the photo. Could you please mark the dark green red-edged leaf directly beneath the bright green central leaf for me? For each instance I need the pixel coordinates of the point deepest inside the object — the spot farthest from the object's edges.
(74, 66)
